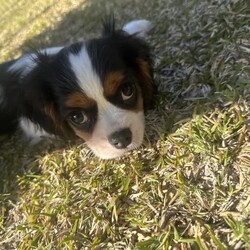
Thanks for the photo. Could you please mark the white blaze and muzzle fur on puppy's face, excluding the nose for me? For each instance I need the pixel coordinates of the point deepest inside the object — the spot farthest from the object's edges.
(110, 118)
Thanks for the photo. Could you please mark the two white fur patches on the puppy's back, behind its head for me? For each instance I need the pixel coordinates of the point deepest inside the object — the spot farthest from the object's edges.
(27, 62)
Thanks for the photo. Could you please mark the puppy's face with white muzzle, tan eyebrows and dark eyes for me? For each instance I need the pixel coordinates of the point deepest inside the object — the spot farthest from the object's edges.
(107, 114)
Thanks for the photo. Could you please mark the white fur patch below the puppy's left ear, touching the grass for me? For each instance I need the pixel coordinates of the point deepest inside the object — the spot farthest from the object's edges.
(32, 130)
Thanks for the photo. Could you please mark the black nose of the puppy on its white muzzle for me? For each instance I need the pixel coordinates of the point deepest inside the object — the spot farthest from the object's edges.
(121, 139)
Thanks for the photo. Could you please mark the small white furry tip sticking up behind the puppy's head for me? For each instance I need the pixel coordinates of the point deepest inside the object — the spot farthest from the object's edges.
(139, 28)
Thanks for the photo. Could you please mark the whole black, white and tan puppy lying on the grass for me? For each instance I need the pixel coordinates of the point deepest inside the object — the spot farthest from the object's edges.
(96, 90)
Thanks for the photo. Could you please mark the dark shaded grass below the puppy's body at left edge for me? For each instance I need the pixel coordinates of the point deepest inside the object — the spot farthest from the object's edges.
(18, 156)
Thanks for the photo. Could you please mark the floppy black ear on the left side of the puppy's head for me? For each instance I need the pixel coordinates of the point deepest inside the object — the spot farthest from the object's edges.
(39, 98)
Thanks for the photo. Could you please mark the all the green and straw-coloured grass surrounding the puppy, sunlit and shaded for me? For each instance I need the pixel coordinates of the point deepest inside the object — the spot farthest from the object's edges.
(188, 187)
